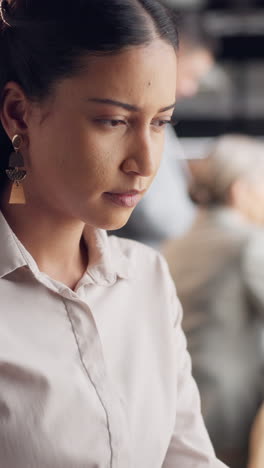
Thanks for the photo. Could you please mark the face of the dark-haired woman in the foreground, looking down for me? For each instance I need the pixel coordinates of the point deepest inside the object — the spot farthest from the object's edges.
(95, 146)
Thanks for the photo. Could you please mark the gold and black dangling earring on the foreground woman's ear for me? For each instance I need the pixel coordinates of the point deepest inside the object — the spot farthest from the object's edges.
(16, 173)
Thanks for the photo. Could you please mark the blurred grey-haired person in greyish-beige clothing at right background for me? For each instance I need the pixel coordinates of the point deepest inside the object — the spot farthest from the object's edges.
(221, 288)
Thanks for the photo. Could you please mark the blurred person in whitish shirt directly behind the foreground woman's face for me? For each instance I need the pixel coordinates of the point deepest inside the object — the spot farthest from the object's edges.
(167, 210)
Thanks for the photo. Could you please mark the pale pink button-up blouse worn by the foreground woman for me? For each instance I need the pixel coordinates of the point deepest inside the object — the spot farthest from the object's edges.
(98, 377)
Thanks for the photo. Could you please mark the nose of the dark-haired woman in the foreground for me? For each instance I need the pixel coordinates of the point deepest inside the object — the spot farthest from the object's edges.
(142, 158)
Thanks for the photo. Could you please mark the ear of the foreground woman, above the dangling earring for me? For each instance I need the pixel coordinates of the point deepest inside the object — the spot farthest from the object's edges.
(15, 107)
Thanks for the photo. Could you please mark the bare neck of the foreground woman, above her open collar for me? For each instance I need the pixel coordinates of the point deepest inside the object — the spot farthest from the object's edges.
(55, 242)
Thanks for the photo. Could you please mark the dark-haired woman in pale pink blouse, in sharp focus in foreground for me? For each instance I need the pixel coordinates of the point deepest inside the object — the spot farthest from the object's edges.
(93, 366)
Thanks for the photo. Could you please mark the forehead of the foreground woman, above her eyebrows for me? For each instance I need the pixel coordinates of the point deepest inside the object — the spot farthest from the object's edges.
(142, 76)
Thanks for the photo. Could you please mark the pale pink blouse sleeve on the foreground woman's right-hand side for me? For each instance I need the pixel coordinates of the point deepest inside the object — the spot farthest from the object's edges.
(190, 445)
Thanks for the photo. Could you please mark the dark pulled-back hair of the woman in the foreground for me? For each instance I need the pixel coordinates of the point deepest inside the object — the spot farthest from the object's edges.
(42, 41)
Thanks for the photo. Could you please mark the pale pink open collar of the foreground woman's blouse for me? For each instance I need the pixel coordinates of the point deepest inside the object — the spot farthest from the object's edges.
(107, 262)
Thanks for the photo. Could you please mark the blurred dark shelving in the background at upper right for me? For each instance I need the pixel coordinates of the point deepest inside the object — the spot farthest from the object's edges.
(231, 98)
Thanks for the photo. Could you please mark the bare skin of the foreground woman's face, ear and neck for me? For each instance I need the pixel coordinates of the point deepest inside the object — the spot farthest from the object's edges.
(76, 150)
